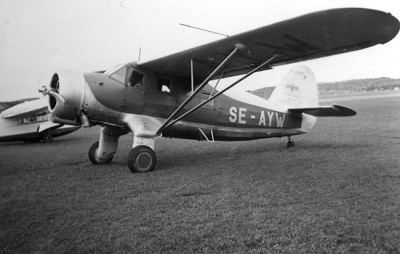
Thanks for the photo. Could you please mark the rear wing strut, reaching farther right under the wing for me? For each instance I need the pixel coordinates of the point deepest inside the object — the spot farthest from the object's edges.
(166, 125)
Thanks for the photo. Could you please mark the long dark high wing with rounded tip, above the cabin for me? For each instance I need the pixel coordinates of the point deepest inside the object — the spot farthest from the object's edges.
(306, 37)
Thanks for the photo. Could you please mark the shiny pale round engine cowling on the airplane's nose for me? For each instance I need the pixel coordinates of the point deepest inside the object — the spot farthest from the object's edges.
(66, 95)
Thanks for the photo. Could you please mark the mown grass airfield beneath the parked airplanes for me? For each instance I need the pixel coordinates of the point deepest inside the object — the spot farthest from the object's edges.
(336, 191)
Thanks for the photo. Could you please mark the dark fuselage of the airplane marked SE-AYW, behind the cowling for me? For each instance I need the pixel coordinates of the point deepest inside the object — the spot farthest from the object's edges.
(224, 118)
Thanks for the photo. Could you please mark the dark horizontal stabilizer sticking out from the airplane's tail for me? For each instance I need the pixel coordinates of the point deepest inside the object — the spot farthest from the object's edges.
(334, 110)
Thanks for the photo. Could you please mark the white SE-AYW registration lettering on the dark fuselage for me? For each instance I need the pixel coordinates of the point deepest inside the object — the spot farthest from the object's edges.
(238, 115)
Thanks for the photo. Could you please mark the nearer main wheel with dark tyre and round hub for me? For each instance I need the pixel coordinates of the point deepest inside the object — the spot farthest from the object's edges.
(141, 159)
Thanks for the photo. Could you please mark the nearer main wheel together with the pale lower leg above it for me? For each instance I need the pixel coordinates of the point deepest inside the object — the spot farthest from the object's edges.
(142, 157)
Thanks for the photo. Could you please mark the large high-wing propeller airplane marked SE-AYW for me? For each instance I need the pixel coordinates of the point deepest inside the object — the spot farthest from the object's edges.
(171, 96)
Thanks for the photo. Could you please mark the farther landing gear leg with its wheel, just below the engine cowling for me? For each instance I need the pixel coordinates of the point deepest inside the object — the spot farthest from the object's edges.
(102, 152)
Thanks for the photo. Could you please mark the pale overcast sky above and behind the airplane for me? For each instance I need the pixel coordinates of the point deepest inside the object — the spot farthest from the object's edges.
(40, 37)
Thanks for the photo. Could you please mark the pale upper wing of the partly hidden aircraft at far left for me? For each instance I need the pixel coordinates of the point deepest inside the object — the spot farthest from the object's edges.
(30, 107)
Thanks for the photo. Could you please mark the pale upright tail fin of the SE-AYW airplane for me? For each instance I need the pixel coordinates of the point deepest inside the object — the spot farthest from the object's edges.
(297, 89)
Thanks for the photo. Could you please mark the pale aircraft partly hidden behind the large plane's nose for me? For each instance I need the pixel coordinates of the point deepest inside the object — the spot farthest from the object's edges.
(29, 122)
